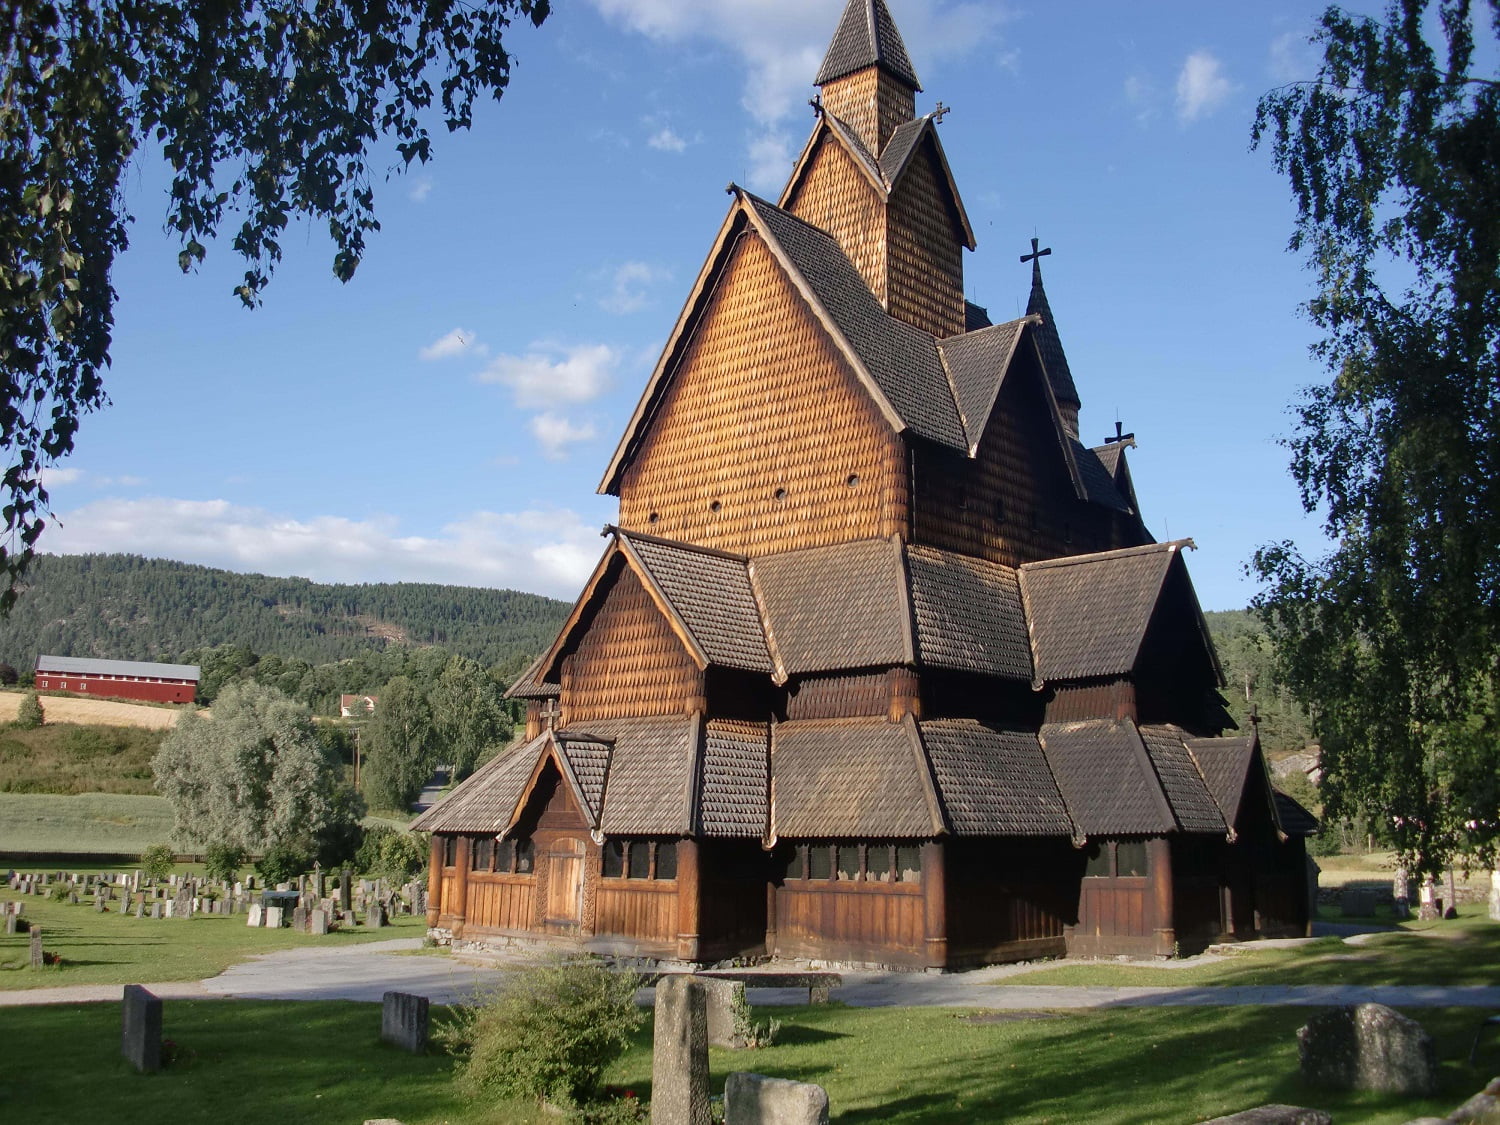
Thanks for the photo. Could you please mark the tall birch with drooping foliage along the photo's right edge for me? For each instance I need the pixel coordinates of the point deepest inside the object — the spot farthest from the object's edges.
(1394, 160)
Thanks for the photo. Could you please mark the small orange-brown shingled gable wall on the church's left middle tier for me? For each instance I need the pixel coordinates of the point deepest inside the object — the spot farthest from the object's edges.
(629, 662)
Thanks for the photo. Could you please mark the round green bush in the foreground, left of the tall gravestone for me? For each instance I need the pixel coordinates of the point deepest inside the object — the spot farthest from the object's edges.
(550, 1033)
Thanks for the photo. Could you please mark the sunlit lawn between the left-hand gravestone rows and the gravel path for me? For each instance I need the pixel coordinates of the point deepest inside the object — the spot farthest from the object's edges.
(109, 949)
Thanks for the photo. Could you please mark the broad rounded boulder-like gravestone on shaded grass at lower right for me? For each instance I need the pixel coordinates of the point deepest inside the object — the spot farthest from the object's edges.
(1367, 1048)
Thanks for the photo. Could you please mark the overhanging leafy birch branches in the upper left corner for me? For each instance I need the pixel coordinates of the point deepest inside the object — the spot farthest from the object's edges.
(266, 110)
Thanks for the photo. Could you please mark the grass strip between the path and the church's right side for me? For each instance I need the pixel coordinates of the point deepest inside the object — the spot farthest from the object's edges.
(1462, 952)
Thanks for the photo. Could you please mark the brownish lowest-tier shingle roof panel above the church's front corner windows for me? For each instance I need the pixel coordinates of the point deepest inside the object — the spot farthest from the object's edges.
(851, 778)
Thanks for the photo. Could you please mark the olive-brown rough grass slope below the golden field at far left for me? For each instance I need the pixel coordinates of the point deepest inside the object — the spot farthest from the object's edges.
(70, 758)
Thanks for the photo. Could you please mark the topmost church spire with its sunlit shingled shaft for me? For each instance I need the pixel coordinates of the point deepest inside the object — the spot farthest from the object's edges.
(868, 79)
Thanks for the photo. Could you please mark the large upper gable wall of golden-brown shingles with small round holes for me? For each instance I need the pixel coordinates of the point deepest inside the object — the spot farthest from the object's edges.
(764, 440)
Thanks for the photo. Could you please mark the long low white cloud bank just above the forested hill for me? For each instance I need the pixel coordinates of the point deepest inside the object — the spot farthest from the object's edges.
(544, 551)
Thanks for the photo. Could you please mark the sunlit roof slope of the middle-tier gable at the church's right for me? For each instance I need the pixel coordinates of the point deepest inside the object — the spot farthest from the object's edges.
(1088, 614)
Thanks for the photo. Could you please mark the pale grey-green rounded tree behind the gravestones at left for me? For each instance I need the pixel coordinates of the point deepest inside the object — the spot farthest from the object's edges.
(253, 775)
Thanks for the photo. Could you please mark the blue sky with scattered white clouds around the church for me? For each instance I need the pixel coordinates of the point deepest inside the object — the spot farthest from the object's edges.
(448, 415)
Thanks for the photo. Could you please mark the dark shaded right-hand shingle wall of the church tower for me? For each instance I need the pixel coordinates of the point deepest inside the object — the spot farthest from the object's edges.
(925, 250)
